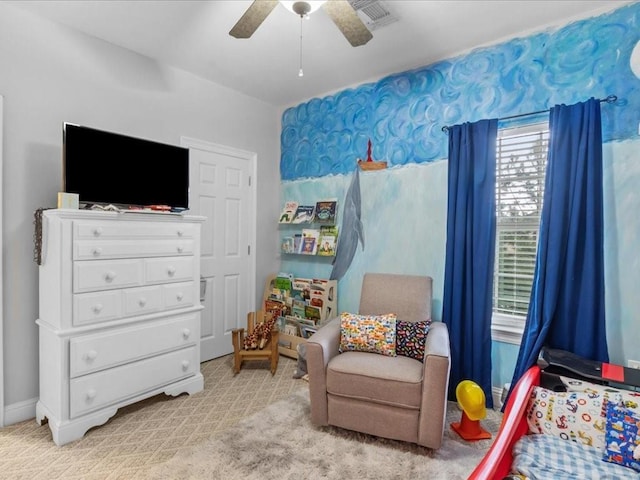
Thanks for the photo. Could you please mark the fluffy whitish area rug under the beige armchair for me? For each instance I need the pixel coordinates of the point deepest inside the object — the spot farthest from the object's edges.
(280, 443)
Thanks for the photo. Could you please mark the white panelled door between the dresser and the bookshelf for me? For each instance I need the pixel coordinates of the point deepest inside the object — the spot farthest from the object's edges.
(221, 189)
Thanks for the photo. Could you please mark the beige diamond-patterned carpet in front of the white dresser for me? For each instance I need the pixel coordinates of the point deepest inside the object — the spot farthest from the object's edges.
(150, 432)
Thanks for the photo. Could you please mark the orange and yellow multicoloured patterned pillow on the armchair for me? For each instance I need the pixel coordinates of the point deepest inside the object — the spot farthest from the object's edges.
(368, 333)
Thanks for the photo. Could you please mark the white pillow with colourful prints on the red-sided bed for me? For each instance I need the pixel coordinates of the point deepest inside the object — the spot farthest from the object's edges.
(579, 416)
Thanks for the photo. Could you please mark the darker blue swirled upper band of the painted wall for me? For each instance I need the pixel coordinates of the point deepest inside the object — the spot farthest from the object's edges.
(403, 114)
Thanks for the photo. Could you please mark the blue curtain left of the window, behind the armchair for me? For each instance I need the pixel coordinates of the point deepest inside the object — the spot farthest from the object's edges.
(471, 231)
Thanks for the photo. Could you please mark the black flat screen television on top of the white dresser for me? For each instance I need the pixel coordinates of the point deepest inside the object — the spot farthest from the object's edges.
(110, 168)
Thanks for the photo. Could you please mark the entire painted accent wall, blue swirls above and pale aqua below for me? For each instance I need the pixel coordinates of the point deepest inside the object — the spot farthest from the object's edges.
(404, 207)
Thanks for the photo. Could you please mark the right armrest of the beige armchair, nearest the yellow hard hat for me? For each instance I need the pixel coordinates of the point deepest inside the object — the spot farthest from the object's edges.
(435, 385)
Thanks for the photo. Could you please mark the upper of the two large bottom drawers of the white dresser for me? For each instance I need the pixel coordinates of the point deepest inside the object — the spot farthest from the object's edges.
(90, 353)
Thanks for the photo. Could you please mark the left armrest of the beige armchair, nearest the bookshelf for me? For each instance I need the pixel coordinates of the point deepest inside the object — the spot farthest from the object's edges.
(322, 346)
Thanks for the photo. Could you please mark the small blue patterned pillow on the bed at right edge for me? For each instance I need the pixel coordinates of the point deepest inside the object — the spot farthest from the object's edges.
(622, 437)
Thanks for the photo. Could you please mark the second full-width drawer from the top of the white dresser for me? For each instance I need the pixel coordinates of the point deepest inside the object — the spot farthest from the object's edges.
(104, 249)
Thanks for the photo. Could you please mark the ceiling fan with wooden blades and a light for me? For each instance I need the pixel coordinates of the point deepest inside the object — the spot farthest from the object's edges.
(340, 11)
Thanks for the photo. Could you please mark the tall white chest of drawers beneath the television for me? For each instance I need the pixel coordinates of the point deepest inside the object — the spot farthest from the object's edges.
(119, 314)
